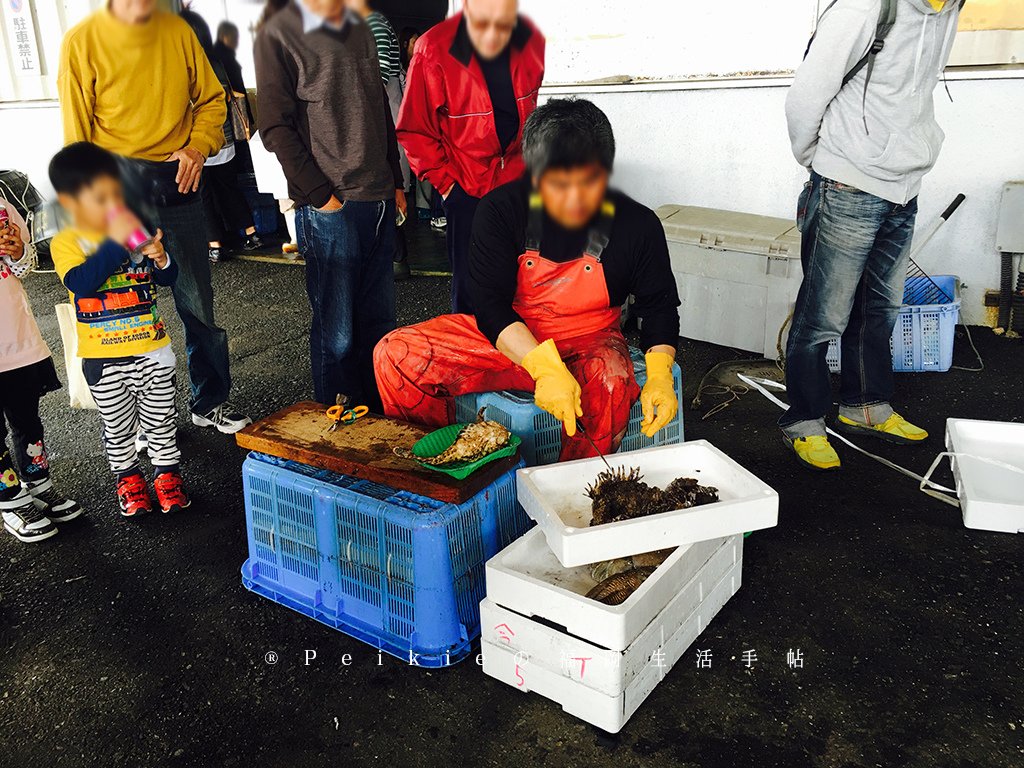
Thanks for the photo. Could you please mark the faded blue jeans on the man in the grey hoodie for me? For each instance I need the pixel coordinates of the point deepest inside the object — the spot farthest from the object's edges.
(856, 249)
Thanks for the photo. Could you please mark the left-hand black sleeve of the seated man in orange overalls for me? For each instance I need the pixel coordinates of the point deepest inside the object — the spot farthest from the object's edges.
(494, 267)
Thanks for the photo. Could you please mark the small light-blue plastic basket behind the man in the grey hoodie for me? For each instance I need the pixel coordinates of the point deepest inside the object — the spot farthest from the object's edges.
(923, 338)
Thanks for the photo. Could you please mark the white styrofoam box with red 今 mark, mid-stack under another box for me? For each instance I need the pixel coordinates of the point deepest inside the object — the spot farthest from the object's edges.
(609, 672)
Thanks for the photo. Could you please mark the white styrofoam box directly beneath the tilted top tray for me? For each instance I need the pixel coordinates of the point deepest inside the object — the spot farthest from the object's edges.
(528, 579)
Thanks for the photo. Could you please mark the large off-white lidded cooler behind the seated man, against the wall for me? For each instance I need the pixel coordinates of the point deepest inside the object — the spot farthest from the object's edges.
(738, 275)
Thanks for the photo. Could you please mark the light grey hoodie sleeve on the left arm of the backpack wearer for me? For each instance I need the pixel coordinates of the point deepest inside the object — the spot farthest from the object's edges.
(844, 35)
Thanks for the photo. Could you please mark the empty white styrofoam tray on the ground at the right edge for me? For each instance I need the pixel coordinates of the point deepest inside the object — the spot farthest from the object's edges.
(992, 496)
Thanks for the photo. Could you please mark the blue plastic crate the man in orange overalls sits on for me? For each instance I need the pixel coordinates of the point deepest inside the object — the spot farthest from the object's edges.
(542, 434)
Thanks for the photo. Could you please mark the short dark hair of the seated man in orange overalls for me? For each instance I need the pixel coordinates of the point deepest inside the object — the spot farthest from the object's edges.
(568, 134)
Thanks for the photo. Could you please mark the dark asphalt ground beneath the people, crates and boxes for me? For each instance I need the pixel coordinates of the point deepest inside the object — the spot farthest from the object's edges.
(134, 644)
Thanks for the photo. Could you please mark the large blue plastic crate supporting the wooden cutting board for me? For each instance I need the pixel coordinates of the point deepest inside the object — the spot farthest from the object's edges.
(401, 572)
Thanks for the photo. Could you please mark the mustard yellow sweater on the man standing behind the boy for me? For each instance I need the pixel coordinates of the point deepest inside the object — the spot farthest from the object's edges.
(140, 91)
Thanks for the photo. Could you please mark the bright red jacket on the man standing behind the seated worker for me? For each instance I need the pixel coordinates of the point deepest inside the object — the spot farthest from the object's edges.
(447, 124)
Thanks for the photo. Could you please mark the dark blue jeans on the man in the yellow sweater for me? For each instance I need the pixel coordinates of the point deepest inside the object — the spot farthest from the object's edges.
(206, 344)
